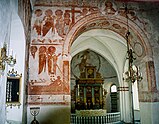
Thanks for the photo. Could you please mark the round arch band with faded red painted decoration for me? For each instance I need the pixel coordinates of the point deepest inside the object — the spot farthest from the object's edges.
(117, 24)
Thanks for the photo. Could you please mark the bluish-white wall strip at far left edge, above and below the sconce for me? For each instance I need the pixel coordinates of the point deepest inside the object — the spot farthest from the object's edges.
(4, 37)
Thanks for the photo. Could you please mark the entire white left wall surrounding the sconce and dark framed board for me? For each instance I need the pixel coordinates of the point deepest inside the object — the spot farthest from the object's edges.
(13, 34)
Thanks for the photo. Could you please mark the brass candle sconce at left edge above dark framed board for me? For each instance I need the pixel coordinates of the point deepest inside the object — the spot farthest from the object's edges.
(6, 59)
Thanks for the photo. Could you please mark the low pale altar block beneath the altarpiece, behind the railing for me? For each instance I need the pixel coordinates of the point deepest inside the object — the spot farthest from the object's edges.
(88, 113)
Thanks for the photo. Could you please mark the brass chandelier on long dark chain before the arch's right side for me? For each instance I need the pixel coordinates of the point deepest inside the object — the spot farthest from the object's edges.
(132, 74)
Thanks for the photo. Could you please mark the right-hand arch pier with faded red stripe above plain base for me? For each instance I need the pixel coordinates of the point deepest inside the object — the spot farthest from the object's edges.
(148, 94)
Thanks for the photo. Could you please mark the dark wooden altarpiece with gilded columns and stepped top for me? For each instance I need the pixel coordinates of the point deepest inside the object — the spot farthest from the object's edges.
(89, 90)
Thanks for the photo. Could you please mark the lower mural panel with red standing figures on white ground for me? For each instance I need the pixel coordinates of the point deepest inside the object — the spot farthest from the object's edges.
(46, 77)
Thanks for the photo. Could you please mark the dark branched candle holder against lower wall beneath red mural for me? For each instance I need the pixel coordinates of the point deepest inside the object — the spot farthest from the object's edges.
(34, 112)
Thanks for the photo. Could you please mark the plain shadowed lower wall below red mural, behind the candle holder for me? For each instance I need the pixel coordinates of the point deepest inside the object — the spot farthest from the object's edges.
(51, 114)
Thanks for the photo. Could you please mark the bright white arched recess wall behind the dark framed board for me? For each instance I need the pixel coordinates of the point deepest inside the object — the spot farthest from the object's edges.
(17, 44)
